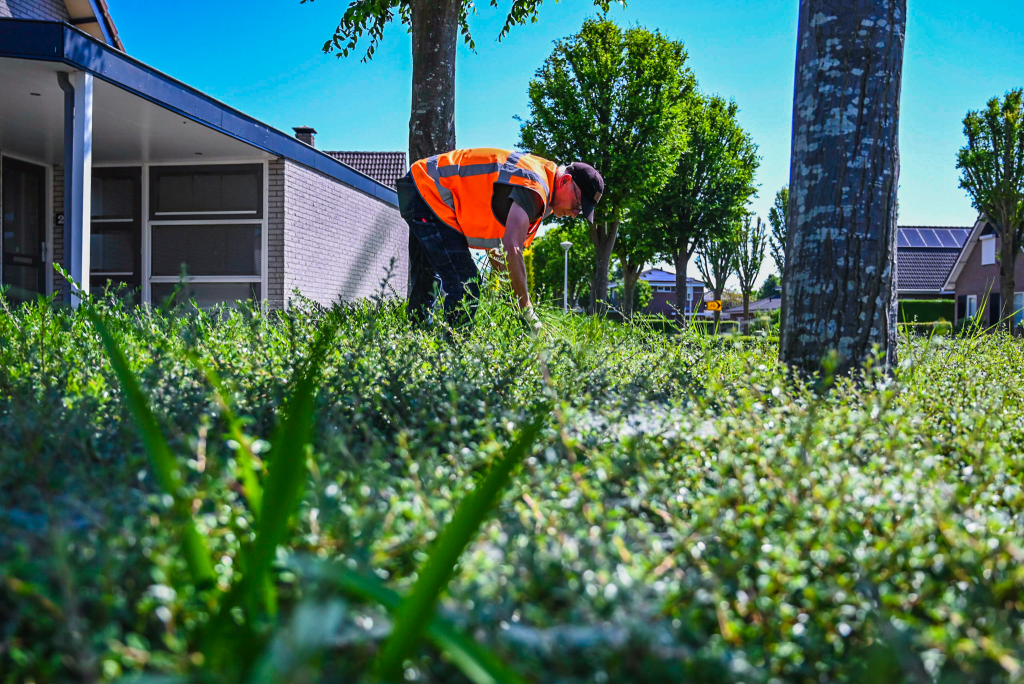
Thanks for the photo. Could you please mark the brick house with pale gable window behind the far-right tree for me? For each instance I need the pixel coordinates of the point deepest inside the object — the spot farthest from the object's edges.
(975, 277)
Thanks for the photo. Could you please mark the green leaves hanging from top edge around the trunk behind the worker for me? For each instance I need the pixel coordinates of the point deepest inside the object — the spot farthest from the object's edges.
(370, 19)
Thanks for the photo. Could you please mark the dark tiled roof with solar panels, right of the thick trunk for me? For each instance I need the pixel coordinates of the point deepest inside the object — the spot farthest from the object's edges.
(925, 255)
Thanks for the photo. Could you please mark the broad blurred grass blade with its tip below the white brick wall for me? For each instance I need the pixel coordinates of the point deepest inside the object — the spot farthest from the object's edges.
(286, 477)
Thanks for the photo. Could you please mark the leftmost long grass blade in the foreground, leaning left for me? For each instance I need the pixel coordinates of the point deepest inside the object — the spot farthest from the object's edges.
(164, 466)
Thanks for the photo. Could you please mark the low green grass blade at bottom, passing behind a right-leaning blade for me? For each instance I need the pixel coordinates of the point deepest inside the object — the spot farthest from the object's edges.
(480, 665)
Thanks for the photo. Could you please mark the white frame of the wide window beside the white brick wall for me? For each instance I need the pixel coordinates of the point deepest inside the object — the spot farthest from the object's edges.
(150, 221)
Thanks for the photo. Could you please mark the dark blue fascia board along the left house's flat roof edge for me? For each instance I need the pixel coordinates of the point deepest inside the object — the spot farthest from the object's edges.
(55, 41)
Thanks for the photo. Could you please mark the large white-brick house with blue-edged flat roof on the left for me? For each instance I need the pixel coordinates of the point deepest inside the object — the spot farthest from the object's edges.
(125, 176)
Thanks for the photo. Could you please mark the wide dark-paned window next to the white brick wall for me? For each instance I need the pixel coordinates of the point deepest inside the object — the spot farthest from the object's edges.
(207, 227)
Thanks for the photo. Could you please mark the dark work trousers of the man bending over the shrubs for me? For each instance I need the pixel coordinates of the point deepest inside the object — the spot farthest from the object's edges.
(439, 258)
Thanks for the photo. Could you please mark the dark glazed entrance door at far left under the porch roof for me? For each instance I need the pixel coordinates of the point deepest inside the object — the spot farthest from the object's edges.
(24, 206)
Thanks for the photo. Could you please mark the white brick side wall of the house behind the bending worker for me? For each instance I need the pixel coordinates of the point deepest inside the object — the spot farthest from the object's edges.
(334, 241)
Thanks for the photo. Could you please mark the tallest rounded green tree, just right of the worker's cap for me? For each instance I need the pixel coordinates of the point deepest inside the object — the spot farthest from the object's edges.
(615, 99)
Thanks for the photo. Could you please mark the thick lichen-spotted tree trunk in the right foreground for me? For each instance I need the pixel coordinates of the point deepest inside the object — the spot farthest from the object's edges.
(839, 291)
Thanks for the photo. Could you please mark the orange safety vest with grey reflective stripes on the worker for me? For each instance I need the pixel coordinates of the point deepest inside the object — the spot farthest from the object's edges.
(458, 186)
